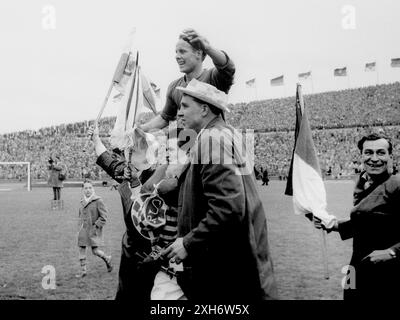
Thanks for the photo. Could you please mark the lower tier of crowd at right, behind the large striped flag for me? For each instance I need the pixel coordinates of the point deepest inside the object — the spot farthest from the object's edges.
(336, 148)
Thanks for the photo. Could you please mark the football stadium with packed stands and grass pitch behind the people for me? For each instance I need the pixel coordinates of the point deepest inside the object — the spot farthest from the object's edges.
(35, 236)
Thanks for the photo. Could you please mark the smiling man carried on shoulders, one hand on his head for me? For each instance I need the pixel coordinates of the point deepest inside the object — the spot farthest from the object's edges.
(190, 52)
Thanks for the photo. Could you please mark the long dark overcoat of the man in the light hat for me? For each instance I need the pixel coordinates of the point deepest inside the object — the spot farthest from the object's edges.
(224, 229)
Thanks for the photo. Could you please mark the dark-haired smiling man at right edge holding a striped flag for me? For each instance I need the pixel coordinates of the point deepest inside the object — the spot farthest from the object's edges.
(374, 225)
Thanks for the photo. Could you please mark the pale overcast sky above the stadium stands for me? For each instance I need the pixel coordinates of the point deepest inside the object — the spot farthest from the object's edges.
(58, 56)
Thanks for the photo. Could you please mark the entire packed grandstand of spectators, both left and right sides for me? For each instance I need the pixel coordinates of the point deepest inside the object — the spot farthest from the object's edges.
(338, 120)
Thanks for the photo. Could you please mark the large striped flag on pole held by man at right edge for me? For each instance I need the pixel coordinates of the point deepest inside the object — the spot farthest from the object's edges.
(305, 182)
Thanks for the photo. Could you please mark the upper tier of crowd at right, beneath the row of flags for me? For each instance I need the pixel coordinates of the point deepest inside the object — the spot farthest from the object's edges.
(370, 106)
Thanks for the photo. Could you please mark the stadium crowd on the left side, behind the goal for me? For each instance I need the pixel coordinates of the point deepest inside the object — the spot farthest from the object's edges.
(67, 141)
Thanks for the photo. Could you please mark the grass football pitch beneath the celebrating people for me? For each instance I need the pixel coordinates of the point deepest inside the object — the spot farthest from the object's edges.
(33, 236)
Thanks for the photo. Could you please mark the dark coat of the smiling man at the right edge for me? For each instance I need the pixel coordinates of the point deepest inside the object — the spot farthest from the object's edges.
(374, 225)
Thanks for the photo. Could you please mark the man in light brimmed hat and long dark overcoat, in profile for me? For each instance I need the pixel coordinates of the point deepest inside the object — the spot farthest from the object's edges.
(222, 229)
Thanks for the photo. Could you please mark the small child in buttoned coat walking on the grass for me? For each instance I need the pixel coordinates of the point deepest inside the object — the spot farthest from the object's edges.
(92, 218)
